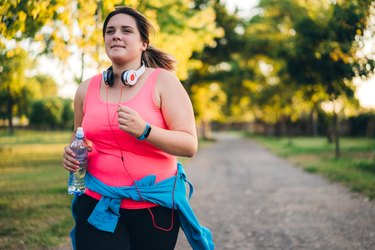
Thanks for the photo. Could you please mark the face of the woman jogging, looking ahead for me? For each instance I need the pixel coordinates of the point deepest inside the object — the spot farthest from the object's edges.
(122, 39)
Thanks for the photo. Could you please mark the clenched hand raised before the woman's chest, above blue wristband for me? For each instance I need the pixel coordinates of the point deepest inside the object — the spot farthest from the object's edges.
(130, 121)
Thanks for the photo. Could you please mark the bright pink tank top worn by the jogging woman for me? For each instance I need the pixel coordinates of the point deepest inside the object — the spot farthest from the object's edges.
(140, 157)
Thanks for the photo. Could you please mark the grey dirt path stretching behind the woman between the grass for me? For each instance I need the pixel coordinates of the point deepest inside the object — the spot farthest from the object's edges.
(252, 199)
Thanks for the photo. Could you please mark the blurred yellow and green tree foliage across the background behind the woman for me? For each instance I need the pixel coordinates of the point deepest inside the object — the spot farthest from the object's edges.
(283, 62)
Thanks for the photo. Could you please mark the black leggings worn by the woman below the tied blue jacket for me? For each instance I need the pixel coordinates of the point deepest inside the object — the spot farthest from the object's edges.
(134, 230)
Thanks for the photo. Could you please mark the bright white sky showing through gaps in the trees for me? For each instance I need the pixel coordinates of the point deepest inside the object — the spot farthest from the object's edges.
(365, 89)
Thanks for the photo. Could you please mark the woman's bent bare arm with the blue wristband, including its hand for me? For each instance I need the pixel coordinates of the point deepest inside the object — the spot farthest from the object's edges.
(180, 138)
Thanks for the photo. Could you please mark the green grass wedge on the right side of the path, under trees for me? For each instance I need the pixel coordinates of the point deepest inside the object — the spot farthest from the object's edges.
(355, 168)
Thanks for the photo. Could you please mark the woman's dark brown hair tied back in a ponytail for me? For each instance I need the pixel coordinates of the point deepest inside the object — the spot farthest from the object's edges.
(152, 56)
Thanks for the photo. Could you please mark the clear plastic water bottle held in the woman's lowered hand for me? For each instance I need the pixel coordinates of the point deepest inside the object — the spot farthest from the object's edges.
(76, 183)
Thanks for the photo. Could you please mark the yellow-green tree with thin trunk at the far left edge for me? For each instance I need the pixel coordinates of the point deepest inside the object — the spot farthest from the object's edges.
(20, 22)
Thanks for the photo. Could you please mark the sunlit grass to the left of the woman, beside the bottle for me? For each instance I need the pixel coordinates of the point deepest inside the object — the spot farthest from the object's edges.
(34, 204)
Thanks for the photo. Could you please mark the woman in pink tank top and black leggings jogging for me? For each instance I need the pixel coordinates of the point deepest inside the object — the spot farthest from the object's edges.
(136, 123)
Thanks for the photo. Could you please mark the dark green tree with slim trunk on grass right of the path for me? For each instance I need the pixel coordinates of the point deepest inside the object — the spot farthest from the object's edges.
(329, 55)
